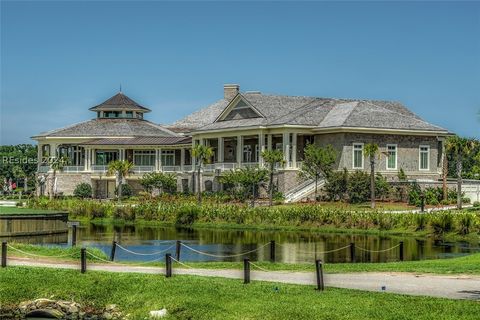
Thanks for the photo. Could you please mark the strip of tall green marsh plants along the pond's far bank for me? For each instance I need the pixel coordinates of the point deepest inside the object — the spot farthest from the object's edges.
(179, 211)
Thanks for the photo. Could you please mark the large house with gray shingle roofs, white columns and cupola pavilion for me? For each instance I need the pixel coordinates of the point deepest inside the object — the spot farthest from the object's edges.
(239, 127)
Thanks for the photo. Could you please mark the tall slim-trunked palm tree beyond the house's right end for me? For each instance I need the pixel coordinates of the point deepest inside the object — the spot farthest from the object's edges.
(460, 148)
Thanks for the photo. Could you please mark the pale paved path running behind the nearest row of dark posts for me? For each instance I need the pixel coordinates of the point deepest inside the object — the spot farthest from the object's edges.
(446, 286)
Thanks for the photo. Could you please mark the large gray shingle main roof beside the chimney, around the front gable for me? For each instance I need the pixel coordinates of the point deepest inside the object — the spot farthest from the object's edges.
(311, 111)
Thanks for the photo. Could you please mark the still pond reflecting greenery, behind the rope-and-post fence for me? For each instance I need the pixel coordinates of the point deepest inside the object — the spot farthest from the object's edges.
(291, 246)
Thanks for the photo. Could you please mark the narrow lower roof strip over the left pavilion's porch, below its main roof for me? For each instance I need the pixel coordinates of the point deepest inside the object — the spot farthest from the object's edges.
(146, 141)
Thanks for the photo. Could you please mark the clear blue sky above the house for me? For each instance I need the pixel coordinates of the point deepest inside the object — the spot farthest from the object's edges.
(60, 58)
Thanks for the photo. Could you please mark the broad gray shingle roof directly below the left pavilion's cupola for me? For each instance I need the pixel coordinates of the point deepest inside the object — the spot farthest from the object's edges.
(111, 128)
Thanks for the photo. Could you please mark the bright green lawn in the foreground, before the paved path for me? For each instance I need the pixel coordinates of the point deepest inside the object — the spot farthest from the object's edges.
(188, 297)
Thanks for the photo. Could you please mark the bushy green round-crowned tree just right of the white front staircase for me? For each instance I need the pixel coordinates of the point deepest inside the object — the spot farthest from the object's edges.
(317, 163)
